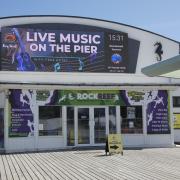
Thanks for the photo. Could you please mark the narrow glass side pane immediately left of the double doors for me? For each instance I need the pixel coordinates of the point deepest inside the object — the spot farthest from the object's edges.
(70, 126)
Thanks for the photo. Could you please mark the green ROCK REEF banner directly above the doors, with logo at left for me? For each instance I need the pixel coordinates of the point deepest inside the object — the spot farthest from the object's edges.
(79, 97)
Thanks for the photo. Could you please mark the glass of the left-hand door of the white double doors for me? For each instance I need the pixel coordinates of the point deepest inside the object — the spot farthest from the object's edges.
(83, 126)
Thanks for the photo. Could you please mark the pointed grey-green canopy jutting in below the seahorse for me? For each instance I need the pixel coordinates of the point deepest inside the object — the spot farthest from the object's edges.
(167, 68)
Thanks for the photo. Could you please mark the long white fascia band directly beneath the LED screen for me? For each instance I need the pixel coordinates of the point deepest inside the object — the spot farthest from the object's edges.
(80, 78)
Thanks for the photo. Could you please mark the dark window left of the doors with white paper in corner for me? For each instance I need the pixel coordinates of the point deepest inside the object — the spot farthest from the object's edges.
(50, 120)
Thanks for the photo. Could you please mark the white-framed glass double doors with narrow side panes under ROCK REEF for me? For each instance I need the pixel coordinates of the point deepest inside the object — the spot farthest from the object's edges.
(88, 126)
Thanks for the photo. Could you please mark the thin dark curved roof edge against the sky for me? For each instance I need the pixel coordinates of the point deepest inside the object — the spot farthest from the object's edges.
(108, 21)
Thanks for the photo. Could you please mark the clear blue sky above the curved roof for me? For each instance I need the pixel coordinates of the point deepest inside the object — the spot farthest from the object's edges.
(159, 16)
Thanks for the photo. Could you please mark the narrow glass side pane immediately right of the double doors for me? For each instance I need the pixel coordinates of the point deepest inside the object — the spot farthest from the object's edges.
(112, 119)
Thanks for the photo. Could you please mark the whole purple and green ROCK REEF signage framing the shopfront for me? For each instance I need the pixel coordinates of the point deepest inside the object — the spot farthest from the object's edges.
(21, 103)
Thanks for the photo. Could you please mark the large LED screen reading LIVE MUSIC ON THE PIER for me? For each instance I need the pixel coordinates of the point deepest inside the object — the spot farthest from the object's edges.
(64, 49)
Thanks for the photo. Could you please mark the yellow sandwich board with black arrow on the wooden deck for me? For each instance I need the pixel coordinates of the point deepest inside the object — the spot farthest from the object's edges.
(115, 144)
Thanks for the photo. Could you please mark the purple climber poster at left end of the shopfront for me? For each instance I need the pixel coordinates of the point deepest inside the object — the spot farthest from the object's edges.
(21, 122)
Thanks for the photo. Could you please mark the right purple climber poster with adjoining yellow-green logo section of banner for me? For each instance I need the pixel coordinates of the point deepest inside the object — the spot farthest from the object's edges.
(157, 108)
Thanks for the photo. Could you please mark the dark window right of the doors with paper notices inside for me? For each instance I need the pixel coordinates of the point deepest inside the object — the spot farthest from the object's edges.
(131, 119)
